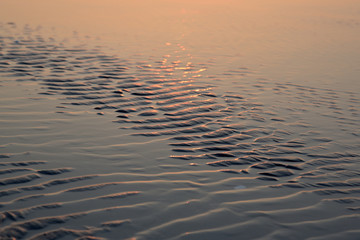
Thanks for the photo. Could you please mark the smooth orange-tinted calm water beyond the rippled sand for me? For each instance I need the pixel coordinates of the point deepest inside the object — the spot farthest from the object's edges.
(298, 41)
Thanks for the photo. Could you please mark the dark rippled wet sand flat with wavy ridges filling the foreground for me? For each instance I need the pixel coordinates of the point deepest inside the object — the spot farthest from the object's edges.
(94, 146)
